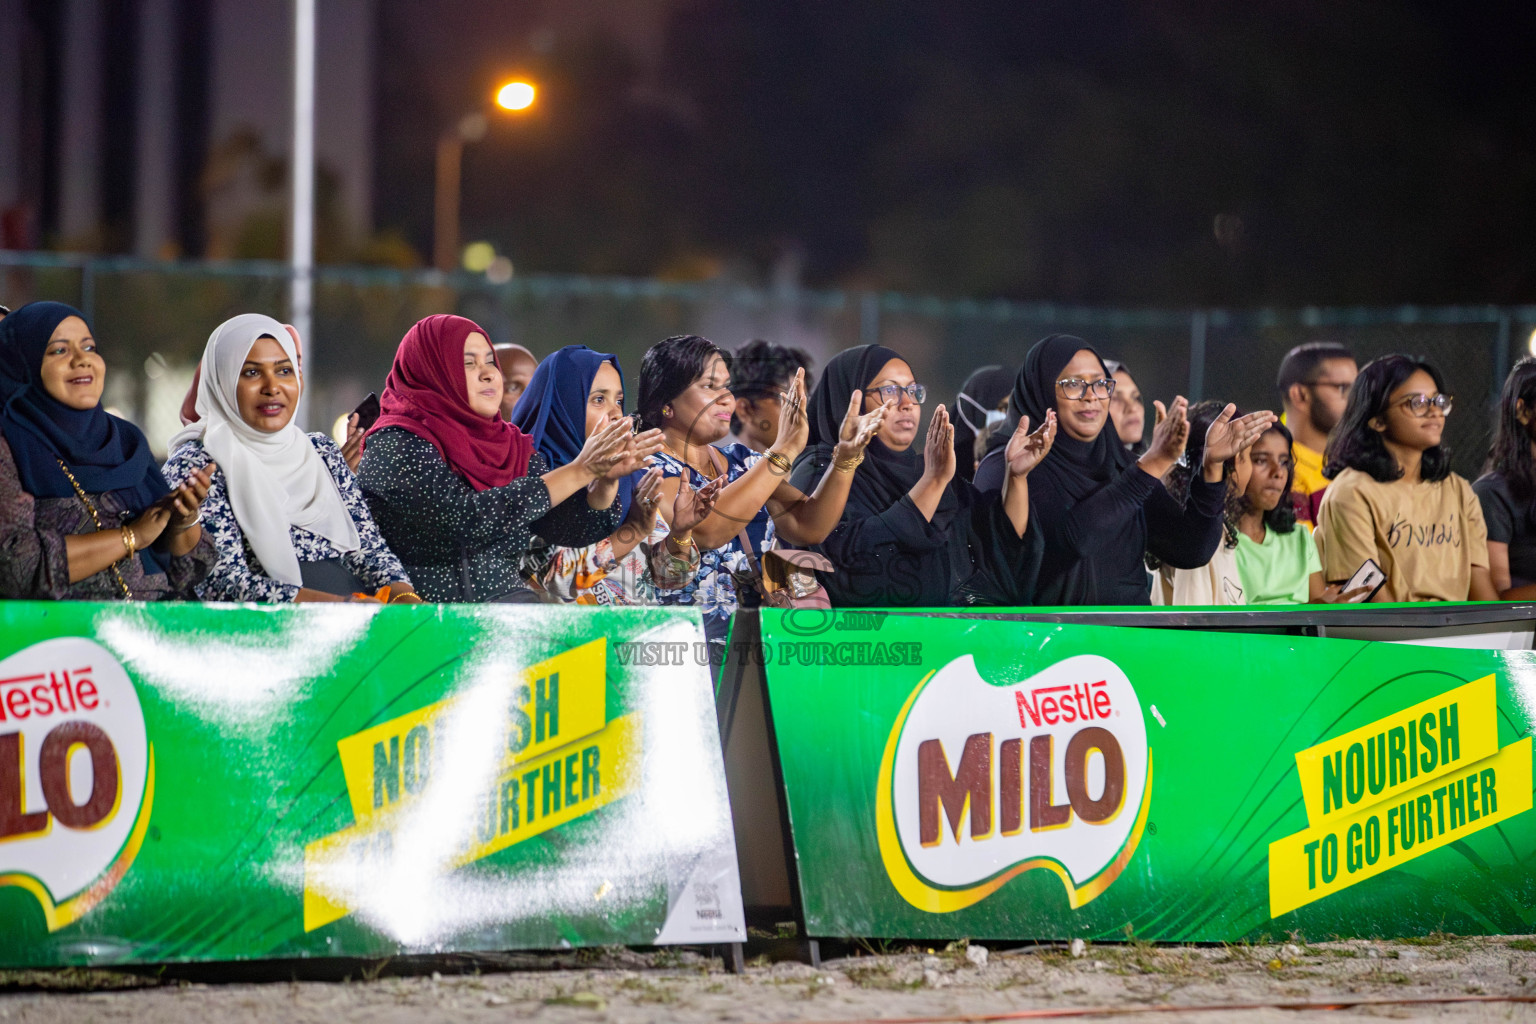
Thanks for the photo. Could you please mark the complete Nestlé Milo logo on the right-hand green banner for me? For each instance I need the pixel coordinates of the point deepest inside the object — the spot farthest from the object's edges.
(990, 781)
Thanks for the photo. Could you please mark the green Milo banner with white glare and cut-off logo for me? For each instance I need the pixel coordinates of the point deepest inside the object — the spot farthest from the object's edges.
(202, 782)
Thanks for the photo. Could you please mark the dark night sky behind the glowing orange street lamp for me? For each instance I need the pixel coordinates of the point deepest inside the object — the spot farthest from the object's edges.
(1124, 151)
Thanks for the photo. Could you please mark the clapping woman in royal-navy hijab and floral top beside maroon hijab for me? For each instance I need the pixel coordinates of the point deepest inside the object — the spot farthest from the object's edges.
(572, 394)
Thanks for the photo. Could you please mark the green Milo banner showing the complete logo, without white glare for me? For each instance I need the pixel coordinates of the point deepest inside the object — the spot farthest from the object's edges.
(1001, 779)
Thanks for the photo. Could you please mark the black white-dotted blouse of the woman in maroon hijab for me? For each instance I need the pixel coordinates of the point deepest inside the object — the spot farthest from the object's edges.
(460, 544)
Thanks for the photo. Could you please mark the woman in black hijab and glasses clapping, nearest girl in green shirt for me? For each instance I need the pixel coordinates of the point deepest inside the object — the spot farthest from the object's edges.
(1099, 507)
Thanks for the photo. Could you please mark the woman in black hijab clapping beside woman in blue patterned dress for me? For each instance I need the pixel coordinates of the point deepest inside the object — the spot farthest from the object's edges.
(912, 535)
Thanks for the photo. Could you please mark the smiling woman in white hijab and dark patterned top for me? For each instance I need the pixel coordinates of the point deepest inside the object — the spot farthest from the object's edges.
(285, 510)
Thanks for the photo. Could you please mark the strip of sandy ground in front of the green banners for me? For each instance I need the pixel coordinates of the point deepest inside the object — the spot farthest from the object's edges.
(627, 986)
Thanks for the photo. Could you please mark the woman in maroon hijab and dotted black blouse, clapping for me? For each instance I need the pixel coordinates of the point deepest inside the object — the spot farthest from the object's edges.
(458, 492)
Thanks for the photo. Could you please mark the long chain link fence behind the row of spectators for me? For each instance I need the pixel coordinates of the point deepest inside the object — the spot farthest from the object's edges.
(153, 320)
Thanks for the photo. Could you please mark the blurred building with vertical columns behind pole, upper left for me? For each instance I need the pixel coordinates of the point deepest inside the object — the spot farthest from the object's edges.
(162, 128)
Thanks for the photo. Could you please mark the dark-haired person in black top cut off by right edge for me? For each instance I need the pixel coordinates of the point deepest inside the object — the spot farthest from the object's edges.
(1508, 487)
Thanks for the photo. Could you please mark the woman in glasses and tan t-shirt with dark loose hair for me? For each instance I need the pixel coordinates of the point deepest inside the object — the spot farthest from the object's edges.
(1394, 497)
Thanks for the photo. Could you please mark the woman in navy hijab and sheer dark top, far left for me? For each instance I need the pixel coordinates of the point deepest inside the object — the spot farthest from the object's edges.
(85, 512)
